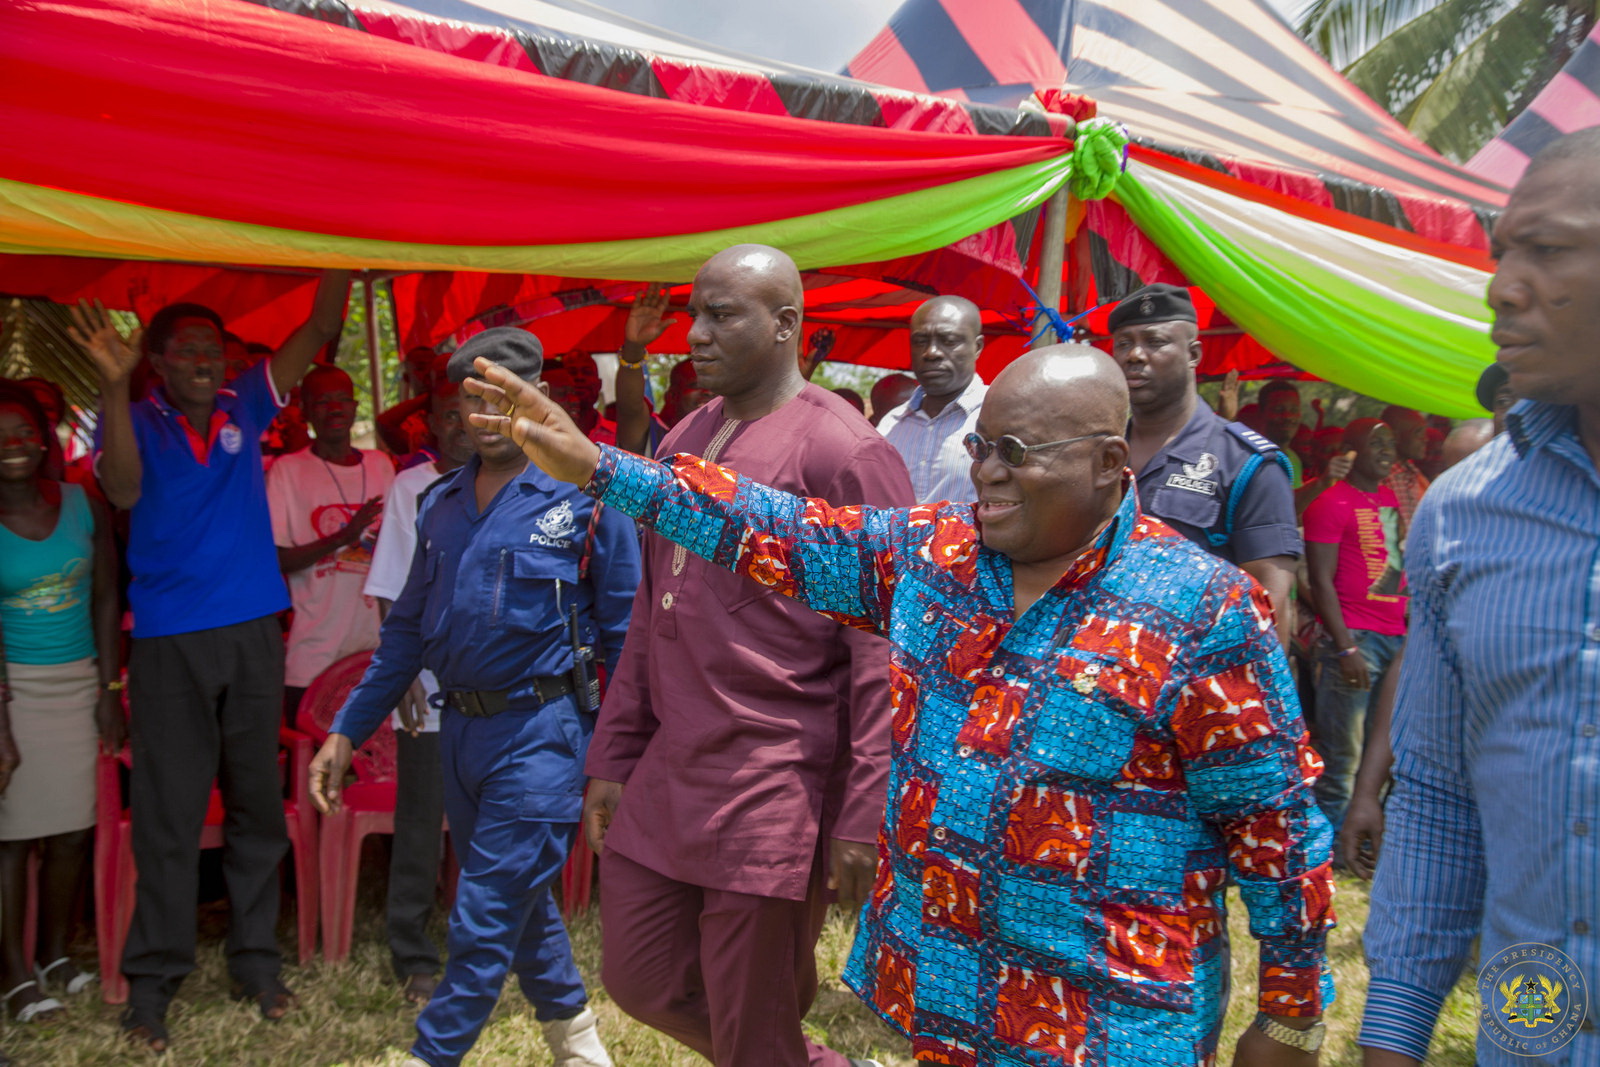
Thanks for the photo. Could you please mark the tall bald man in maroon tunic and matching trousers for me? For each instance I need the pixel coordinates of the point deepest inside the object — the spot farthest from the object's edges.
(740, 762)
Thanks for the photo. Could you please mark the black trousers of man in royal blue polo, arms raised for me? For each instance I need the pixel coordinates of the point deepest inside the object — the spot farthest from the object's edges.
(204, 708)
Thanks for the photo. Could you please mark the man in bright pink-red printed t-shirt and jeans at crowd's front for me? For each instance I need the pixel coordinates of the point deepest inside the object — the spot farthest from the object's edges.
(1354, 554)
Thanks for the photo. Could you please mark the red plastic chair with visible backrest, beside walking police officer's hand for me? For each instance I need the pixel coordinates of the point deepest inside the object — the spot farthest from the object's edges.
(369, 802)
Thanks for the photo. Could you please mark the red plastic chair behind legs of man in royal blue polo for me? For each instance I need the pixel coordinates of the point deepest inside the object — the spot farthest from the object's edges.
(116, 876)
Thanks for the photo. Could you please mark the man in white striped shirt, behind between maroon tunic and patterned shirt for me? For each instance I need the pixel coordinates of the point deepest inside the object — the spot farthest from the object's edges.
(946, 337)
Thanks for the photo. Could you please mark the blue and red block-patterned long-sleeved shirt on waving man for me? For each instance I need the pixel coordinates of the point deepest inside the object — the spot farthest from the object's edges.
(1070, 789)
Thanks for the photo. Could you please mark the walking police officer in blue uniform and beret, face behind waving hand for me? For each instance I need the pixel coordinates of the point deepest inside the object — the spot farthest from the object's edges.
(516, 591)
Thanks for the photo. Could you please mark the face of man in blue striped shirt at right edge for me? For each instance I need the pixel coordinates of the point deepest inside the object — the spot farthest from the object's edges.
(1546, 287)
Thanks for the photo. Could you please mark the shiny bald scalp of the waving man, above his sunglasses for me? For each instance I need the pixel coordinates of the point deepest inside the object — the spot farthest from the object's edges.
(1074, 388)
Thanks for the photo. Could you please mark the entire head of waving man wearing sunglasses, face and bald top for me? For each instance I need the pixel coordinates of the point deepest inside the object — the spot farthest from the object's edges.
(1050, 506)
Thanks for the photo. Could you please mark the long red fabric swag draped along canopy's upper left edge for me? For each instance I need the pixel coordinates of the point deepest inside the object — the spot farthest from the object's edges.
(438, 153)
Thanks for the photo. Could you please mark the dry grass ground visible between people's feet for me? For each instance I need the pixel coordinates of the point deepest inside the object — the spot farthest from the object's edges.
(351, 1015)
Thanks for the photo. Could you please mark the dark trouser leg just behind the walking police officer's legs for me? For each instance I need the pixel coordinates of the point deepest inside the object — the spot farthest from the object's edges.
(414, 863)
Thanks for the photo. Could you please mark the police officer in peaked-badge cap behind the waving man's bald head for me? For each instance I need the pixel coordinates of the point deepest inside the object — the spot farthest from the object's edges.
(1220, 484)
